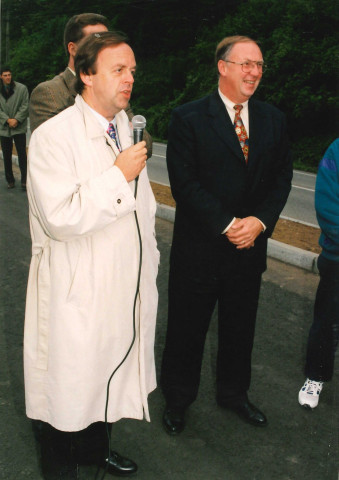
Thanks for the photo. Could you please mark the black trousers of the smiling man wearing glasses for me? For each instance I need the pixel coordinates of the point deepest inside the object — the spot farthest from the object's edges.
(189, 315)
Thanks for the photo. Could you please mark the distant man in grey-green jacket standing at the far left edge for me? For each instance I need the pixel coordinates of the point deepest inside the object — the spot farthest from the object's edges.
(13, 124)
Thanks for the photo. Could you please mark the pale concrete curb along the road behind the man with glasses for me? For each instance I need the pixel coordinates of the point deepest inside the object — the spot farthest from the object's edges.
(278, 250)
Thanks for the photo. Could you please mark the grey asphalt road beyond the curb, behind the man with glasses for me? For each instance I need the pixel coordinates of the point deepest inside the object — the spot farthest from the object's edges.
(300, 204)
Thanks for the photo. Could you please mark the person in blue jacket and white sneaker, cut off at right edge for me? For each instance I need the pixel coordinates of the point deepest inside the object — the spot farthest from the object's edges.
(324, 332)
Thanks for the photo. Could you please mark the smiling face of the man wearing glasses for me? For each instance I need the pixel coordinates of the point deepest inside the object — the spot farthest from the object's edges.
(233, 82)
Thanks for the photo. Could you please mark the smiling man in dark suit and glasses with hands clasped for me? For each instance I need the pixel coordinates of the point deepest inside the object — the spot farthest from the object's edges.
(230, 175)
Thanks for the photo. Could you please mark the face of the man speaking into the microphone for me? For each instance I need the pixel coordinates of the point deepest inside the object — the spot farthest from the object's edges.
(109, 90)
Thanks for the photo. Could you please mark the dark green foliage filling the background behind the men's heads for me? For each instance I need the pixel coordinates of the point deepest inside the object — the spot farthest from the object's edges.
(174, 42)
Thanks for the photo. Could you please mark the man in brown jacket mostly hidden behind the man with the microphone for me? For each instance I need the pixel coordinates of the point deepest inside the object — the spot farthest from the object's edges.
(53, 96)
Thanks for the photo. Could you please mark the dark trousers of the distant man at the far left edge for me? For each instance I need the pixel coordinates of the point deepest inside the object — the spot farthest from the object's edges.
(7, 148)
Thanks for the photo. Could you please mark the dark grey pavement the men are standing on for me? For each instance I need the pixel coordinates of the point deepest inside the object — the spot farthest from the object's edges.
(216, 445)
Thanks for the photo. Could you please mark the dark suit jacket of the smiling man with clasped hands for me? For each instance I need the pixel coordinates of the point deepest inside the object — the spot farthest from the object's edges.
(212, 184)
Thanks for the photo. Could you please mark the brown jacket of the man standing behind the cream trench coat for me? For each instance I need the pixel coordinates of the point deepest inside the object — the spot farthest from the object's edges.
(53, 96)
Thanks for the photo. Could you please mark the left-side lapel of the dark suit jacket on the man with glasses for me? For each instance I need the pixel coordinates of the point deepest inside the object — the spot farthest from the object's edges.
(222, 124)
